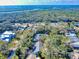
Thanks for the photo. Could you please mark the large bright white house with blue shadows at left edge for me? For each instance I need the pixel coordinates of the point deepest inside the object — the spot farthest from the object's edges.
(7, 36)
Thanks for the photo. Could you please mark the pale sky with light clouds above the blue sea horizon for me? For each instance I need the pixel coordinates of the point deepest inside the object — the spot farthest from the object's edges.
(39, 2)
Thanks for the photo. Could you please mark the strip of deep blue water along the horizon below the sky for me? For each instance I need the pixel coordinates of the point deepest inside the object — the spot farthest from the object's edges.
(32, 7)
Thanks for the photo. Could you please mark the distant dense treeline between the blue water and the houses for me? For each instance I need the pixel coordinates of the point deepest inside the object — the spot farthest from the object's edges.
(7, 19)
